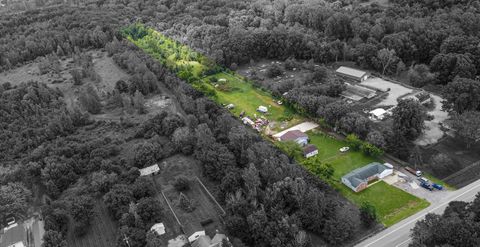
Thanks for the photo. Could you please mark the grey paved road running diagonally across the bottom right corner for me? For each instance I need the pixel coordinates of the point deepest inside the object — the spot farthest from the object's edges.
(399, 234)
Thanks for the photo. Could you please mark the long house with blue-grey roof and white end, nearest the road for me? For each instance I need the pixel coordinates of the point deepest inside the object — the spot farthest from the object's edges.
(358, 179)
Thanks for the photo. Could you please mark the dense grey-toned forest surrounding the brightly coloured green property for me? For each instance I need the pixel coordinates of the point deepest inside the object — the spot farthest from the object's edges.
(48, 147)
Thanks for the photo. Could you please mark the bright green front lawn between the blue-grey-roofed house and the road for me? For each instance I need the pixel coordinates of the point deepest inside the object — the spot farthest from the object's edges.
(392, 204)
